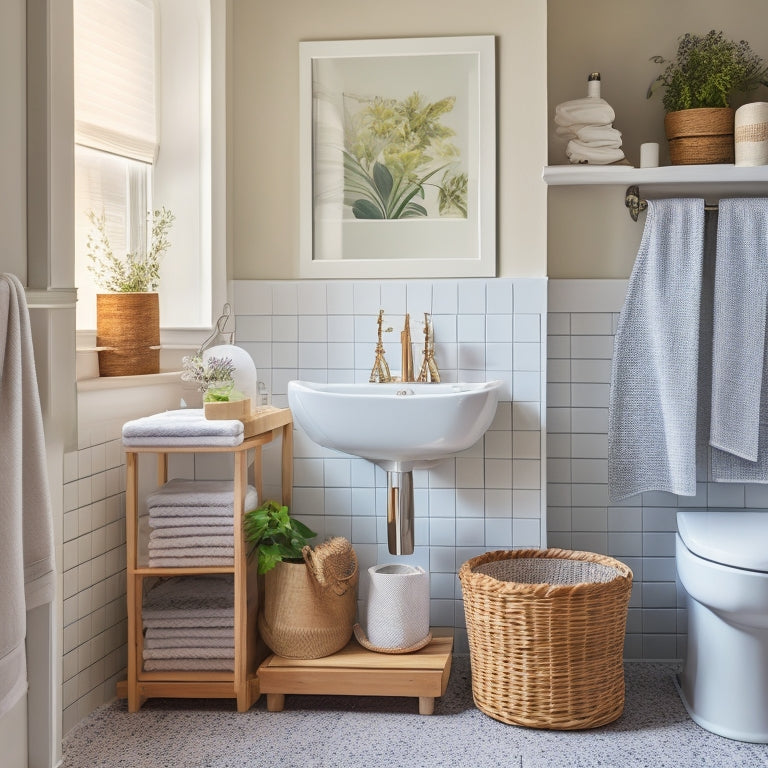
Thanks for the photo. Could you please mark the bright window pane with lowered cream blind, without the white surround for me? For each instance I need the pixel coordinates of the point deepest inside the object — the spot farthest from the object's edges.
(115, 129)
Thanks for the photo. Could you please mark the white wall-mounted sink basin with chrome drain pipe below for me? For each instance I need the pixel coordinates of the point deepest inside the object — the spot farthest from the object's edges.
(401, 426)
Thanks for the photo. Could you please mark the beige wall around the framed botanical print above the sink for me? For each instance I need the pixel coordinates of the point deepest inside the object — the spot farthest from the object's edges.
(265, 110)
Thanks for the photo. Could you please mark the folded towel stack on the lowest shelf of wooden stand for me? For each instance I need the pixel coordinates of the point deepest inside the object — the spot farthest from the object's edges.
(189, 624)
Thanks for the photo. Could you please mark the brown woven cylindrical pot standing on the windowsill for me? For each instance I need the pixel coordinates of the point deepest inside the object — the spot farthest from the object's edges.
(128, 324)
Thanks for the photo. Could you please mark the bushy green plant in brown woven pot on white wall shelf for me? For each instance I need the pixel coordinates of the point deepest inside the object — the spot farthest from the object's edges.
(698, 84)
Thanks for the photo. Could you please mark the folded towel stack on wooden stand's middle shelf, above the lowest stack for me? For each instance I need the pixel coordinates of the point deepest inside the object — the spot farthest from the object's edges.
(192, 525)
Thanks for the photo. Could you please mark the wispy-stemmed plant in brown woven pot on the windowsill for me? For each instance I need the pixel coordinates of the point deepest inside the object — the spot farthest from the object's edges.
(128, 312)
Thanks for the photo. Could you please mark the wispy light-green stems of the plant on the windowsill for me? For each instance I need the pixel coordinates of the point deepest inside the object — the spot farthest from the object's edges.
(138, 271)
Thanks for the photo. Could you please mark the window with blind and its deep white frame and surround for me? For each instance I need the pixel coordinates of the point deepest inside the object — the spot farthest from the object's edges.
(150, 112)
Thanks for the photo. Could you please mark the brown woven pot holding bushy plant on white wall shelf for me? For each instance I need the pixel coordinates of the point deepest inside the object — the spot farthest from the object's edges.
(700, 136)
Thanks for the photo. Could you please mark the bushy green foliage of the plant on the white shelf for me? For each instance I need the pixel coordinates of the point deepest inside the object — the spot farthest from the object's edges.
(707, 71)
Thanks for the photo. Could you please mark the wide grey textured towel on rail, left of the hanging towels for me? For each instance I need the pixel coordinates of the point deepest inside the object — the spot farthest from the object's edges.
(652, 405)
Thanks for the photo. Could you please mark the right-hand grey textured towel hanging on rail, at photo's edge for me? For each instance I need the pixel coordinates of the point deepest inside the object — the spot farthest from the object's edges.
(739, 433)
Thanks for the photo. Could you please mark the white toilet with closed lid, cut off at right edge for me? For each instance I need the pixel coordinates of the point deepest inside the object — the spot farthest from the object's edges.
(722, 563)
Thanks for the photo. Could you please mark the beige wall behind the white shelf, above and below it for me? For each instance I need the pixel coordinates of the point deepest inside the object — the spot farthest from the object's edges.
(590, 232)
